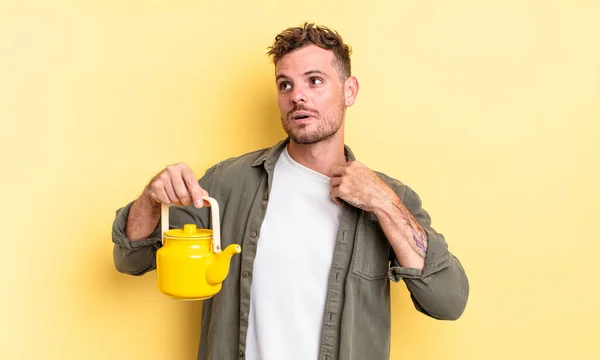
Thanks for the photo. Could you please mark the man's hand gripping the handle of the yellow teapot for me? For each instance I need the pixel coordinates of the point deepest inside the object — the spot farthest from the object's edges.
(176, 185)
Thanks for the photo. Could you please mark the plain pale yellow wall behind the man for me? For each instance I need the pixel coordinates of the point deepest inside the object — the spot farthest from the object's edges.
(490, 110)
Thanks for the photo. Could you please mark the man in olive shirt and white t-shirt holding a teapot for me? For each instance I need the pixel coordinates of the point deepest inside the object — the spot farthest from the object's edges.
(321, 233)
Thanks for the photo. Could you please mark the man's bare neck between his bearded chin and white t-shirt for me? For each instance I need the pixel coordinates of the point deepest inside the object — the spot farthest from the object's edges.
(321, 156)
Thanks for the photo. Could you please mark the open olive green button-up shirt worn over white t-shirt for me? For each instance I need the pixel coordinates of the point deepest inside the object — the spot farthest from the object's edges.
(356, 321)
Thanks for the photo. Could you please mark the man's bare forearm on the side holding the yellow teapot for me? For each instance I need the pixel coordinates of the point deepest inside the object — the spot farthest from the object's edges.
(143, 218)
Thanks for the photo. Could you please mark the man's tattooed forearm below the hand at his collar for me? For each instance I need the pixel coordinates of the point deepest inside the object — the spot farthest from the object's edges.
(405, 234)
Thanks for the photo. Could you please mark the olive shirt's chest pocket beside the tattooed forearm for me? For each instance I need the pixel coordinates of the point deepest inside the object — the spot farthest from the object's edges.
(372, 250)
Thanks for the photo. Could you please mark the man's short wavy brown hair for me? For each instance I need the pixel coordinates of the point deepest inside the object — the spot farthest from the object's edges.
(297, 37)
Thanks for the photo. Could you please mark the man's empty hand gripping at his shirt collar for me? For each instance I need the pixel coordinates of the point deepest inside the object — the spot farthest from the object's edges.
(357, 185)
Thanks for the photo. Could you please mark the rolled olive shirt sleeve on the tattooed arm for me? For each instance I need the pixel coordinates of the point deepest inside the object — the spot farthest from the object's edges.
(441, 289)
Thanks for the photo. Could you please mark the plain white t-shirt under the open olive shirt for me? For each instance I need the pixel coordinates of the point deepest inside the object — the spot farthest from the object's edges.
(291, 269)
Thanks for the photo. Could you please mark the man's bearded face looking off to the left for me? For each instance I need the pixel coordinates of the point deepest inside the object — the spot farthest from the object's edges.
(310, 94)
